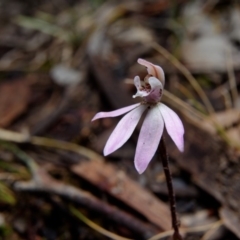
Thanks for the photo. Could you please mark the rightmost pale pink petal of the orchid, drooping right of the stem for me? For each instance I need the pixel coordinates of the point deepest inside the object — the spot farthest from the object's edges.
(173, 125)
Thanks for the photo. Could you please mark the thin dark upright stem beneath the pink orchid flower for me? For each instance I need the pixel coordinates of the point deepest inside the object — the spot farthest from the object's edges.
(175, 223)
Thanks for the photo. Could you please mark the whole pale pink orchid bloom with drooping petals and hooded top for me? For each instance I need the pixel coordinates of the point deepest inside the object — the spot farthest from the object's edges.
(157, 114)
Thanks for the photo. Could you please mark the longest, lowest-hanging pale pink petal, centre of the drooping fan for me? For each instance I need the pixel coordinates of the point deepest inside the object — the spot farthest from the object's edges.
(149, 138)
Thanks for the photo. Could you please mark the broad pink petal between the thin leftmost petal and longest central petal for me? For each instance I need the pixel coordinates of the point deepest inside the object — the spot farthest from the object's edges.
(124, 130)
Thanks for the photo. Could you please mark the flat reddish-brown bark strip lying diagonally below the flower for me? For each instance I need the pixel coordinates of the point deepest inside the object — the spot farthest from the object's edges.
(116, 183)
